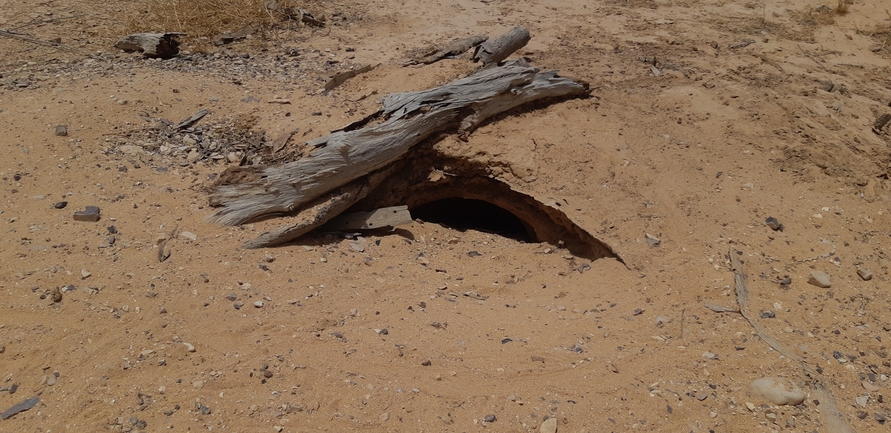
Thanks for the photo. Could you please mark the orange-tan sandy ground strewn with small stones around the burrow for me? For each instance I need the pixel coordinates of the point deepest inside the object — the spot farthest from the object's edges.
(691, 134)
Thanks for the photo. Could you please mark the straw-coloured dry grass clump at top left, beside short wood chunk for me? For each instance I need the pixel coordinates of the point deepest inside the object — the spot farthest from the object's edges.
(209, 18)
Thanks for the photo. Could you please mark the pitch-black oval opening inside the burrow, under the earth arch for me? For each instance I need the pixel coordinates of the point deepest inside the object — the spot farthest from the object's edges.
(469, 214)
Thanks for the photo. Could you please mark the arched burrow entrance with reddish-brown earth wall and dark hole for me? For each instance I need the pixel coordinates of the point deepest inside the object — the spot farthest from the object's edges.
(462, 195)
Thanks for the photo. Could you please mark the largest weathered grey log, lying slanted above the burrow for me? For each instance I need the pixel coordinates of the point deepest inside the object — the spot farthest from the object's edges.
(243, 194)
